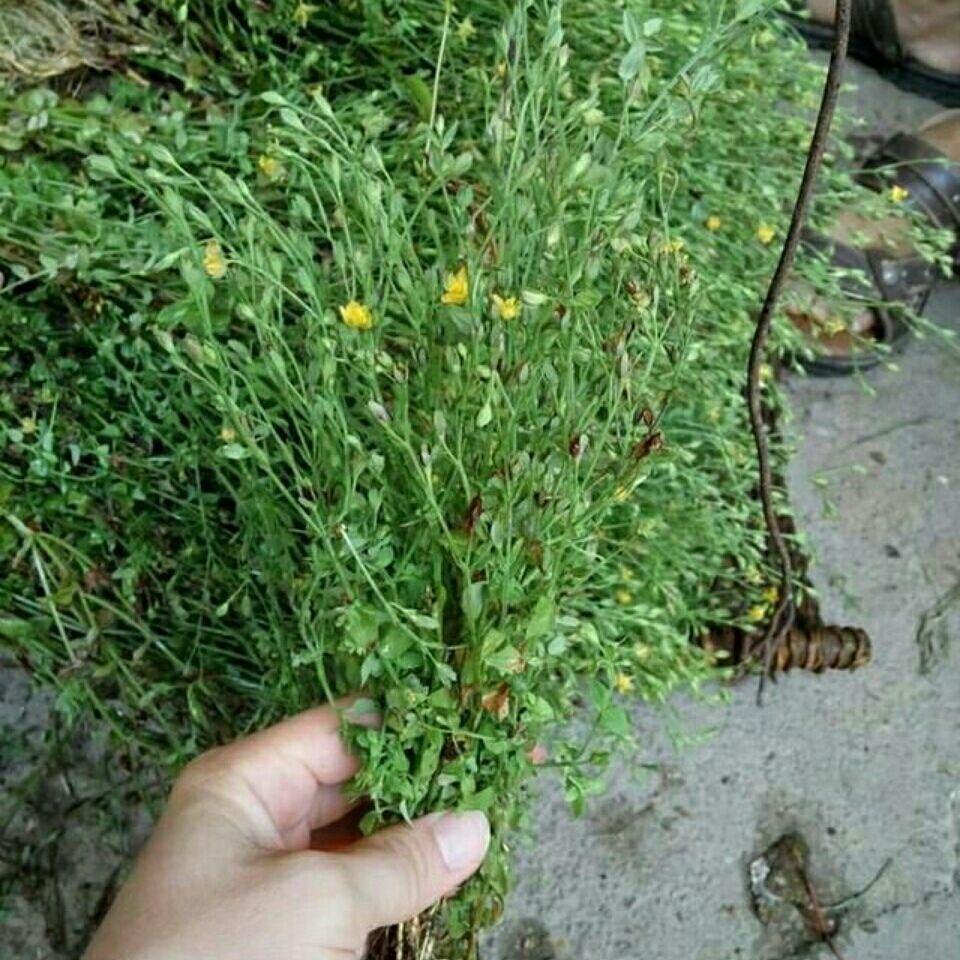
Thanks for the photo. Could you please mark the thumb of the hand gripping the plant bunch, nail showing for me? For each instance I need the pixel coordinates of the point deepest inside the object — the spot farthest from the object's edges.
(399, 872)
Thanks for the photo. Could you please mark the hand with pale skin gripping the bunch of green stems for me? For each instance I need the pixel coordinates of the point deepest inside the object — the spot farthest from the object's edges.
(229, 873)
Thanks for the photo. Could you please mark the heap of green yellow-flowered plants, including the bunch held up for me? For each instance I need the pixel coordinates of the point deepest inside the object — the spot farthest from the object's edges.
(488, 508)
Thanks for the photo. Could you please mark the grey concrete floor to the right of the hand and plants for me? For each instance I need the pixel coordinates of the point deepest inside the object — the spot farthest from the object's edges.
(864, 766)
